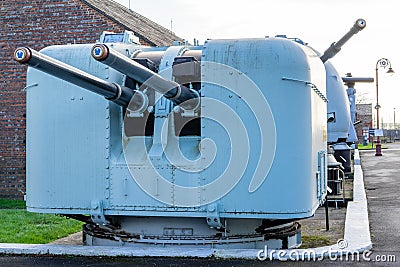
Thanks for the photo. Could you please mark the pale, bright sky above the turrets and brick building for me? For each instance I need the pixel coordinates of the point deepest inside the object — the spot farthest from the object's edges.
(319, 23)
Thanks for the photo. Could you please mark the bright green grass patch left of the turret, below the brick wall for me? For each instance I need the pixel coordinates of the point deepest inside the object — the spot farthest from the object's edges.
(20, 226)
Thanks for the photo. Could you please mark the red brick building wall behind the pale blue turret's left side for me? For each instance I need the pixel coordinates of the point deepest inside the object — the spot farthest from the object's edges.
(36, 24)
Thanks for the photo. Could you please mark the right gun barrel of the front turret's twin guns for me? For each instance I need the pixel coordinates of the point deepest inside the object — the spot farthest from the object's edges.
(177, 93)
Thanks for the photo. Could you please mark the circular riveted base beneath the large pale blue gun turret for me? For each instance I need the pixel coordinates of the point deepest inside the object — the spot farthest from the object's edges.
(194, 234)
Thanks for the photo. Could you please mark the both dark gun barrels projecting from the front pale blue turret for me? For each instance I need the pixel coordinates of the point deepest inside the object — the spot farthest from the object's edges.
(134, 100)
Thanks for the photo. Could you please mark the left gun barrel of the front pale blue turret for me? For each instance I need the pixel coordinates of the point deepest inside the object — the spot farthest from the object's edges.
(111, 91)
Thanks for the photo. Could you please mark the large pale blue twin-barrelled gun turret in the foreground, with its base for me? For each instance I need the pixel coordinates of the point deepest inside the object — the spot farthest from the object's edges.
(162, 187)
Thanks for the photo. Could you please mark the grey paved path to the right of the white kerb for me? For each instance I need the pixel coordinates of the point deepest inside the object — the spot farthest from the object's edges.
(382, 184)
